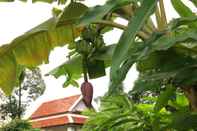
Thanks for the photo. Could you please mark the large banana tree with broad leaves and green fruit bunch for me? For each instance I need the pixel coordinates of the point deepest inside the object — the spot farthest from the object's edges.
(164, 52)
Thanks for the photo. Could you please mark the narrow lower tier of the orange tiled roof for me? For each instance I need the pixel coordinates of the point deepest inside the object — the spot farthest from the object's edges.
(62, 120)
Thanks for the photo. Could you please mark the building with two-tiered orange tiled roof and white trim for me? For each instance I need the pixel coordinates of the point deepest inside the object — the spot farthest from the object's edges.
(60, 115)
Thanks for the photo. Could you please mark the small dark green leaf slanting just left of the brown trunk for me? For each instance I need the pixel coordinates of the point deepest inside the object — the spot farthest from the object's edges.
(164, 97)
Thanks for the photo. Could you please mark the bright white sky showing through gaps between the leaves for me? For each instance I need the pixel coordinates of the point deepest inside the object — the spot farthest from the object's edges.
(18, 17)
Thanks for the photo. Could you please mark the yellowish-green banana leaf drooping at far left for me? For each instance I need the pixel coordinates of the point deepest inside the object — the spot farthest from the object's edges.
(32, 49)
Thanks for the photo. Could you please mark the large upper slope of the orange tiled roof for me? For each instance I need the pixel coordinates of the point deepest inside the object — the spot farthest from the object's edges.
(54, 107)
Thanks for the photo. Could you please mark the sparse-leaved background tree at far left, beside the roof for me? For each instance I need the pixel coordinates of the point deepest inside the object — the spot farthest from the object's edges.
(30, 89)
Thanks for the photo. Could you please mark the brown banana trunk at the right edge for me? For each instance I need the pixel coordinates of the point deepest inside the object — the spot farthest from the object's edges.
(191, 94)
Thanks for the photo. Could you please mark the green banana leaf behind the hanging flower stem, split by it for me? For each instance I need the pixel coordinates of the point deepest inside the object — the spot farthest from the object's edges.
(72, 68)
